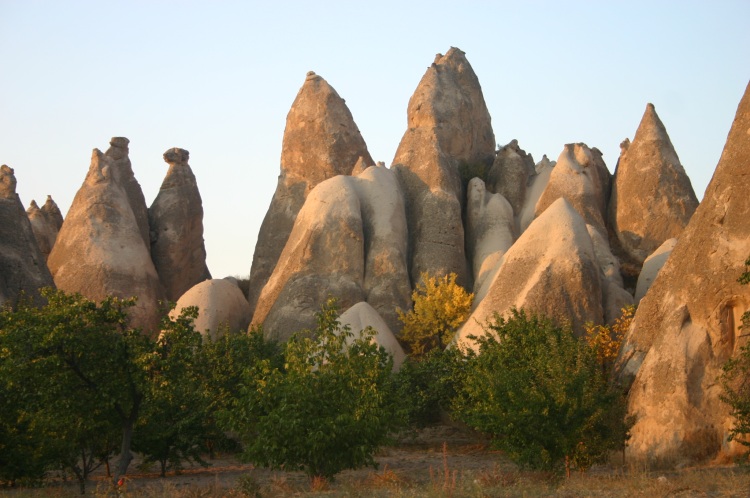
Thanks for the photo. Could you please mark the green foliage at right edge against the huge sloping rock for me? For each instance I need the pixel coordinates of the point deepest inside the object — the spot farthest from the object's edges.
(735, 379)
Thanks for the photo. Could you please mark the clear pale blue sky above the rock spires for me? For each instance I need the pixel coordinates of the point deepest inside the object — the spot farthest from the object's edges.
(217, 78)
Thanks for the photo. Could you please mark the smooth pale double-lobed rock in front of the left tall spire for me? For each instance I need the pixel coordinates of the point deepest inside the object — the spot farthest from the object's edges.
(349, 242)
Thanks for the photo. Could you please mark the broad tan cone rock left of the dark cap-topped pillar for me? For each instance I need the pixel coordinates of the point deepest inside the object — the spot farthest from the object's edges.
(100, 249)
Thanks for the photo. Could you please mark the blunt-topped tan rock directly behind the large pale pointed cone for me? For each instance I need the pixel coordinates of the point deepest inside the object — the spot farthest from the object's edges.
(581, 177)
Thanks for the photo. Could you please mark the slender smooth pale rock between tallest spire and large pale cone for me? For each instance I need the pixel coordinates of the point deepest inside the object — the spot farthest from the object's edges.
(489, 233)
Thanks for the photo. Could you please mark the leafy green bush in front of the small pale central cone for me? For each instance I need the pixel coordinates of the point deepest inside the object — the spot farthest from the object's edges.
(328, 410)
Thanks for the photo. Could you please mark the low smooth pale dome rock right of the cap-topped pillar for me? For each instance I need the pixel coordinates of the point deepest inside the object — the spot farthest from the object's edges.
(222, 307)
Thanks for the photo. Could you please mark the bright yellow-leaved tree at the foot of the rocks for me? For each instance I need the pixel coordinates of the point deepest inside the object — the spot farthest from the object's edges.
(440, 307)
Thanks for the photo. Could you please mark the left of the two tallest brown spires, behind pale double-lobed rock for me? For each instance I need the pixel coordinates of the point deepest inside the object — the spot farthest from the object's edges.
(320, 141)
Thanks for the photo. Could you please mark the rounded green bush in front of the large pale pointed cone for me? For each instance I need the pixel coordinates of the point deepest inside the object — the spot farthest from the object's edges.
(540, 393)
